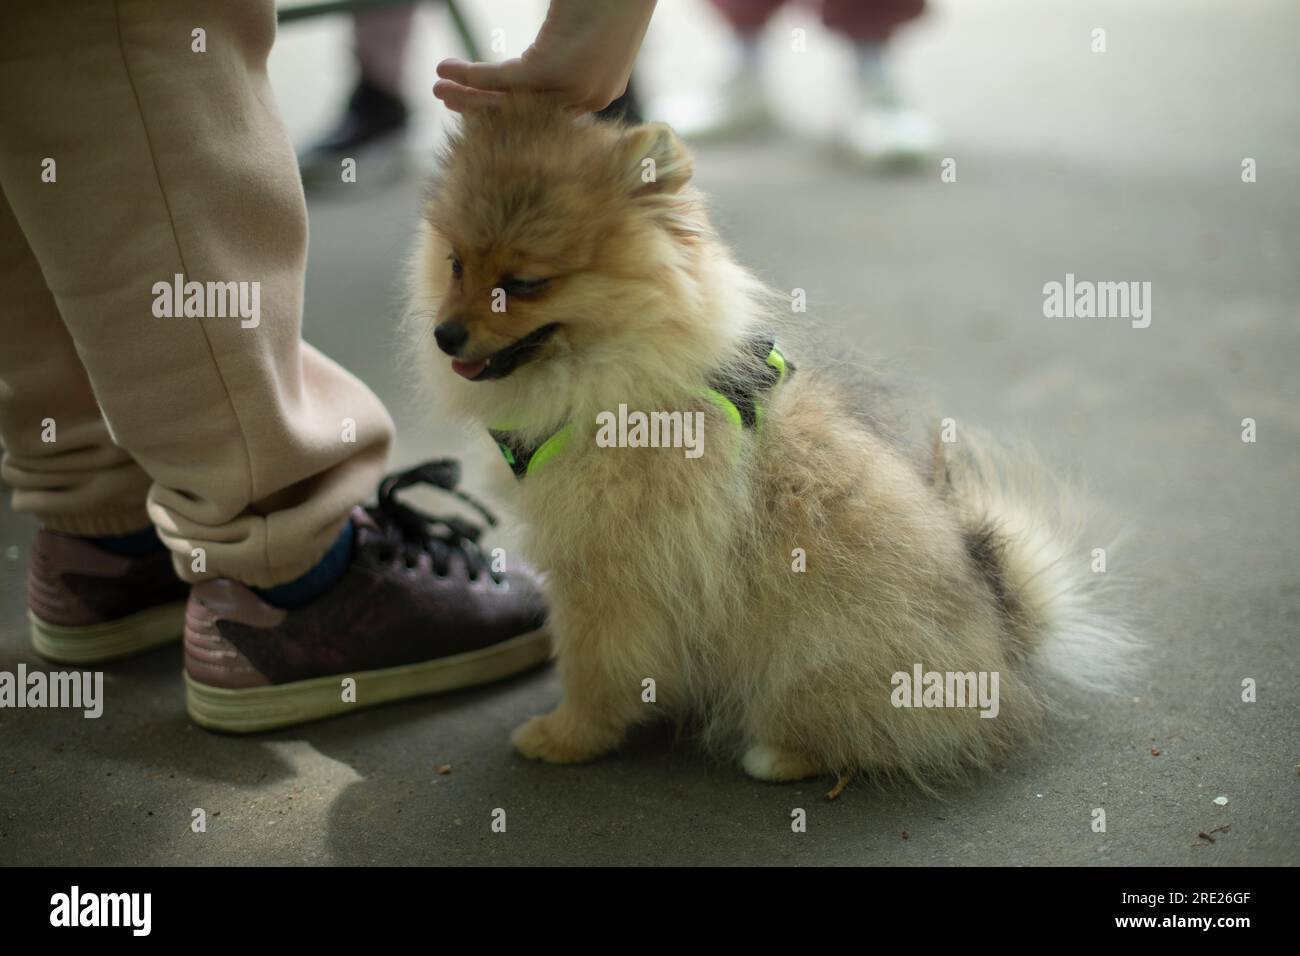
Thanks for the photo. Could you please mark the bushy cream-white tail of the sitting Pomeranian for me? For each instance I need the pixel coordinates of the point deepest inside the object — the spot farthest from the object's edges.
(1032, 538)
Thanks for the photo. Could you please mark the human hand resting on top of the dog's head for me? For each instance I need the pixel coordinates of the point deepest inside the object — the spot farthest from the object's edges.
(583, 55)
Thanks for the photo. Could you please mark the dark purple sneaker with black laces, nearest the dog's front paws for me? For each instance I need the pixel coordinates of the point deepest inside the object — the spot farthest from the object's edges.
(418, 612)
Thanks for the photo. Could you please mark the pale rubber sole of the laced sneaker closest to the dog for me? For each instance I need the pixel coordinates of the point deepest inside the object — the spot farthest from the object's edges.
(284, 706)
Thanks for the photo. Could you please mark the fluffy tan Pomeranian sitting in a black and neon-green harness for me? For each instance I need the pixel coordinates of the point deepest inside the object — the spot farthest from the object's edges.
(730, 538)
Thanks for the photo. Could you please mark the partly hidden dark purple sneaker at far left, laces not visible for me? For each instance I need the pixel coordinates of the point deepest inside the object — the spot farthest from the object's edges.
(88, 605)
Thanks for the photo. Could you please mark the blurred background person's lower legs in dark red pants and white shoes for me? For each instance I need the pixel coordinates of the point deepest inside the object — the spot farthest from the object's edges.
(881, 129)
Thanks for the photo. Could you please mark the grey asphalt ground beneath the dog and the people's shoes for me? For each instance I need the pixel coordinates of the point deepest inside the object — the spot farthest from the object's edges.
(1117, 166)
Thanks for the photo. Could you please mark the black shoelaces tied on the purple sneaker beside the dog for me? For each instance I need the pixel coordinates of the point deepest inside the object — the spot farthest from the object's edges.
(414, 533)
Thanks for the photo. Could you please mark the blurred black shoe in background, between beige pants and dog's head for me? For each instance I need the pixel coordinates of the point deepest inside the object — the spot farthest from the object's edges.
(370, 129)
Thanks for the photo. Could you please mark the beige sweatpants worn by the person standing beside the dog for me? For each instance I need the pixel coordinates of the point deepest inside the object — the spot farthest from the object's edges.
(129, 158)
